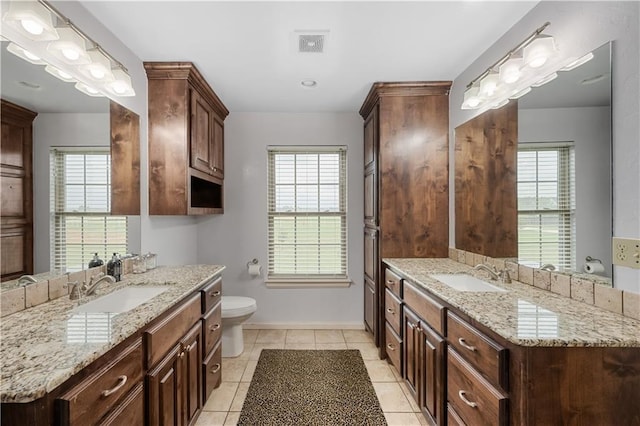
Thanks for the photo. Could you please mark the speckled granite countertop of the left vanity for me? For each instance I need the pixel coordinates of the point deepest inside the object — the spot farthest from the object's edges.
(45, 345)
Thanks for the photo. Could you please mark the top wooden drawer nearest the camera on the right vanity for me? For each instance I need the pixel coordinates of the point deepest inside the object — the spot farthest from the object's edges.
(489, 358)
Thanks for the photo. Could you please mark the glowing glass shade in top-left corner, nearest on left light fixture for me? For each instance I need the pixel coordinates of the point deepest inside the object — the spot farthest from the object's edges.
(31, 19)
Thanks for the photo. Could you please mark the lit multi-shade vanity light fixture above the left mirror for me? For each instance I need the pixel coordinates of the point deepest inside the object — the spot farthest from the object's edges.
(38, 28)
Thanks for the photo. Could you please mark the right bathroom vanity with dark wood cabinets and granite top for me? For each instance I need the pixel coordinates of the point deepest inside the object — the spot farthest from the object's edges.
(522, 356)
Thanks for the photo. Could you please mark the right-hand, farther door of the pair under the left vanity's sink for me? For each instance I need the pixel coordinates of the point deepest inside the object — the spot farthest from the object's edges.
(191, 374)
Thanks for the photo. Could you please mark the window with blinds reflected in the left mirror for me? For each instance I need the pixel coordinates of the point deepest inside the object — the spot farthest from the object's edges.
(81, 223)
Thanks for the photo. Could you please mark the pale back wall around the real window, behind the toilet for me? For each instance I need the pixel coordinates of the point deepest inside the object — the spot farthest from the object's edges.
(240, 234)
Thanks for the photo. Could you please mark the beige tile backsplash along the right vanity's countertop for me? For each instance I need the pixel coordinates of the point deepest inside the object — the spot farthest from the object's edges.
(590, 289)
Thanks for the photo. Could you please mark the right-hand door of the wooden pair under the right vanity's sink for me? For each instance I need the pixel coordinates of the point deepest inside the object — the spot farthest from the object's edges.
(432, 398)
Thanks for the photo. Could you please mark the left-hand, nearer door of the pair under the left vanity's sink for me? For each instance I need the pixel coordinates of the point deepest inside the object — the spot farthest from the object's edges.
(163, 382)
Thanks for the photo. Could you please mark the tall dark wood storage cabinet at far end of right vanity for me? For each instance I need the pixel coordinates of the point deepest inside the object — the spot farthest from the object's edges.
(406, 182)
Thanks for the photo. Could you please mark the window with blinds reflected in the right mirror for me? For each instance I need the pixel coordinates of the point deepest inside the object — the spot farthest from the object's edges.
(546, 205)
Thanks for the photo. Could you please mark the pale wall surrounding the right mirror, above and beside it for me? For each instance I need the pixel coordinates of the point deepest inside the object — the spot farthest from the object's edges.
(580, 27)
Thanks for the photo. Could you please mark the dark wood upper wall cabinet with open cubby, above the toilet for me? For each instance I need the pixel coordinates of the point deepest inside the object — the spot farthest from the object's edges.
(186, 141)
